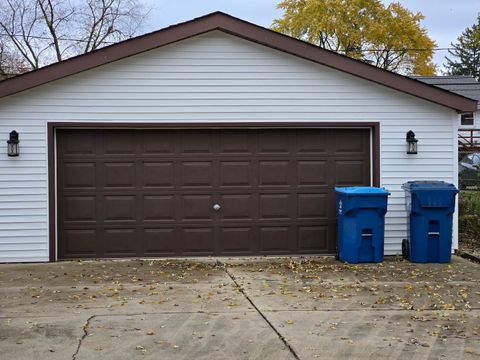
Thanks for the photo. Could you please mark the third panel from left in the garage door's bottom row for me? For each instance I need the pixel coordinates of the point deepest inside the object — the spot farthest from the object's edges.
(160, 241)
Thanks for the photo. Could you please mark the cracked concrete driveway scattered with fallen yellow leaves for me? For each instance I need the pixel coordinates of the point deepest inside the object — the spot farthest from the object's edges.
(284, 308)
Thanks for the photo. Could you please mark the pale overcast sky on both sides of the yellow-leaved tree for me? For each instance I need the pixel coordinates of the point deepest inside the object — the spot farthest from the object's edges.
(444, 19)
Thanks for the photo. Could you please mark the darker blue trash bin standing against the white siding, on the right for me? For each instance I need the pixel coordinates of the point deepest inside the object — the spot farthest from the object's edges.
(430, 208)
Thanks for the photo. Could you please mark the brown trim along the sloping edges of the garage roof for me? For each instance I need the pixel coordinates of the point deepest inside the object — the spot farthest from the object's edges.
(245, 30)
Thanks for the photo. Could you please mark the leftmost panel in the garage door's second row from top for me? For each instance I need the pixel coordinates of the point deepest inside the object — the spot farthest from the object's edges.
(79, 175)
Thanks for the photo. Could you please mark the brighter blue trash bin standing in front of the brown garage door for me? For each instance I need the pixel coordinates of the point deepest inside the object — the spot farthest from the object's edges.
(361, 223)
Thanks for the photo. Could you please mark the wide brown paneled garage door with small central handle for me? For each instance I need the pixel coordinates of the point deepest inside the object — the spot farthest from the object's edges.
(127, 193)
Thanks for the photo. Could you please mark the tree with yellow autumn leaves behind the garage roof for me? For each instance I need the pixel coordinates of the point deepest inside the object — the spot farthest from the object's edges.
(390, 37)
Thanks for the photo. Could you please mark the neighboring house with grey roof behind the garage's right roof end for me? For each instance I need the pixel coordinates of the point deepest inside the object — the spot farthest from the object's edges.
(466, 86)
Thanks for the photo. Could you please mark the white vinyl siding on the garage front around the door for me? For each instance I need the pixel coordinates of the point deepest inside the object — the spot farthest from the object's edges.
(214, 77)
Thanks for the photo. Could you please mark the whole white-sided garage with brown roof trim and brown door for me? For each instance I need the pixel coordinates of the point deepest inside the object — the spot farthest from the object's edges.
(211, 137)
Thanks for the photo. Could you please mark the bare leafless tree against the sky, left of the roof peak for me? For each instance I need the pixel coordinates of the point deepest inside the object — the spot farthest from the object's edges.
(44, 31)
